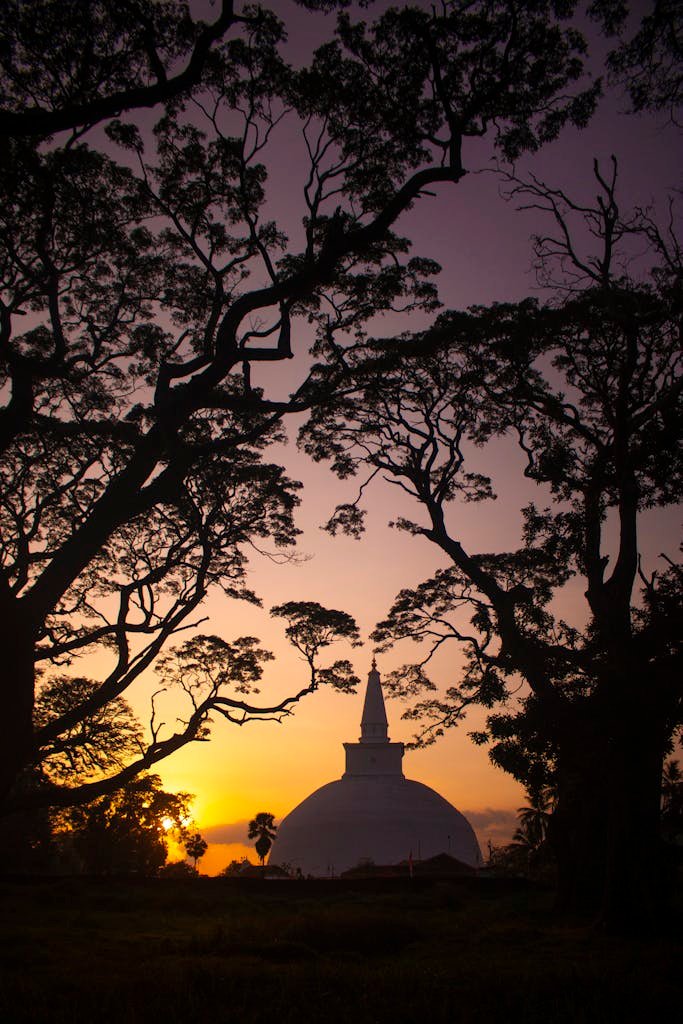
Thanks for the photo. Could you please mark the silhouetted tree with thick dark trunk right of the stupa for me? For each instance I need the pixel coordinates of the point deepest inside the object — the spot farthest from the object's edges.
(590, 388)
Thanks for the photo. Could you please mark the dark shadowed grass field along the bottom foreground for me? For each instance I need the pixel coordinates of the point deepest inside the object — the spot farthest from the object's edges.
(209, 950)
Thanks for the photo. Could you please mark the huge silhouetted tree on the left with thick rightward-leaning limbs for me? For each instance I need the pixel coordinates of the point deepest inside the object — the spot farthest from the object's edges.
(143, 280)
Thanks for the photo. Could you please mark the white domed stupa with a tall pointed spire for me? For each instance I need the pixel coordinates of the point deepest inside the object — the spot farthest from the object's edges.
(373, 813)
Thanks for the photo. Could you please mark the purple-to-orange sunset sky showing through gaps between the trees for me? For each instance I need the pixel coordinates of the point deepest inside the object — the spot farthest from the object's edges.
(484, 246)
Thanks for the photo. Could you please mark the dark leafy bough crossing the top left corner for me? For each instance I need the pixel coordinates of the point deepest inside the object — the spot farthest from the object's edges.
(106, 59)
